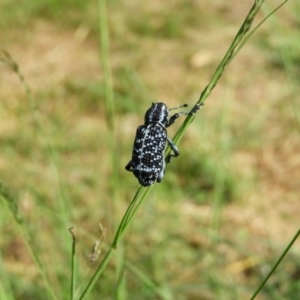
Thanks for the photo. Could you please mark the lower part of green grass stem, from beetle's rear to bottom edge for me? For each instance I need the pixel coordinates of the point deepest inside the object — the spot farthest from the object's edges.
(139, 197)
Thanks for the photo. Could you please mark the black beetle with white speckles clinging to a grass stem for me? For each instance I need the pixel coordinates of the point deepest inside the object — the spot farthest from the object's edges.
(147, 162)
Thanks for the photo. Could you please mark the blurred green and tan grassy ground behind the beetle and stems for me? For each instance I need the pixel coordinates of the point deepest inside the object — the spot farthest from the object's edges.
(227, 206)
